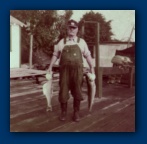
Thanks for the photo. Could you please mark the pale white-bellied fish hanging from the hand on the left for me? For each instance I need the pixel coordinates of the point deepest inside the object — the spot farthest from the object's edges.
(47, 91)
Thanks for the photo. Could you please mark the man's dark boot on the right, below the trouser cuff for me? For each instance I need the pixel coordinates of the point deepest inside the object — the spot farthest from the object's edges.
(76, 116)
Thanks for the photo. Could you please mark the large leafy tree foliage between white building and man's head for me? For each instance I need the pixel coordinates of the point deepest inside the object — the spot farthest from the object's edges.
(47, 27)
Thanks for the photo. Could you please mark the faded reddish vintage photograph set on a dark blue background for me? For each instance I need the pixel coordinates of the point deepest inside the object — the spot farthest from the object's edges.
(72, 70)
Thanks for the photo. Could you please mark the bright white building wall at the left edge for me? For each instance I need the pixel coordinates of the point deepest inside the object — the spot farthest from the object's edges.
(15, 60)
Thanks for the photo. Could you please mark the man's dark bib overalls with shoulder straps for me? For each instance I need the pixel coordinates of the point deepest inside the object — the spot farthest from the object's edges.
(71, 73)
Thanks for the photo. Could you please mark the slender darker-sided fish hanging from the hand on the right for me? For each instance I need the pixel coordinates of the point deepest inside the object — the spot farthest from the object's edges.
(91, 90)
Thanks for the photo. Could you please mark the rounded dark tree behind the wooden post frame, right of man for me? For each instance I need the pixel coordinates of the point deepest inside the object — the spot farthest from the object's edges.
(105, 28)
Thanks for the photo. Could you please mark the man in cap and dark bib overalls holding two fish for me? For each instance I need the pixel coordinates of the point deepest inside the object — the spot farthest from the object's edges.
(71, 51)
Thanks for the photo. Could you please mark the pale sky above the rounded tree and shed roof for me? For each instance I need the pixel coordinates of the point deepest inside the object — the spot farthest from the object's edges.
(122, 23)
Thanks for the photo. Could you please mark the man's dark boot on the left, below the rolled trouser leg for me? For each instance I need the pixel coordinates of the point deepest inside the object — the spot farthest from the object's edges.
(63, 111)
